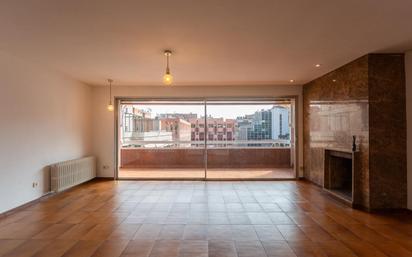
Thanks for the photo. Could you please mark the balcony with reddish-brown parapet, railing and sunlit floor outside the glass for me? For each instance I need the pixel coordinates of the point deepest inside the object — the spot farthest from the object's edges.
(224, 161)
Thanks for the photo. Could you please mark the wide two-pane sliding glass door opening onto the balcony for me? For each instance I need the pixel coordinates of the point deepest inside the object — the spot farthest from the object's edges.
(206, 139)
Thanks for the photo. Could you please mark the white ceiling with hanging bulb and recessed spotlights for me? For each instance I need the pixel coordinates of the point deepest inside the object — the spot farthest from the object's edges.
(216, 42)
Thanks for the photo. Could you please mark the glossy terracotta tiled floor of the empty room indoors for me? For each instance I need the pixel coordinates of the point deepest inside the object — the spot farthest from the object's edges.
(222, 219)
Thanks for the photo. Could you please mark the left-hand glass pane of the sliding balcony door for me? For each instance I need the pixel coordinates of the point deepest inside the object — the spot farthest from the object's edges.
(157, 140)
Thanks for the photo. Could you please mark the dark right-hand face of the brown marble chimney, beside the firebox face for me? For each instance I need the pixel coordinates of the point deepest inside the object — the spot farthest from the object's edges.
(387, 131)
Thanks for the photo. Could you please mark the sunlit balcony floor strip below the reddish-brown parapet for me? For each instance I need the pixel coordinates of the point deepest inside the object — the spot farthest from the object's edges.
(215, 174)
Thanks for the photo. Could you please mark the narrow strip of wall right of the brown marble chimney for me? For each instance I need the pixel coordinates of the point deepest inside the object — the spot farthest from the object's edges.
(408, 68)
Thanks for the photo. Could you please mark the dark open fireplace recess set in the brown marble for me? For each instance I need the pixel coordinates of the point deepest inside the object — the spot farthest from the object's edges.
(339, 174)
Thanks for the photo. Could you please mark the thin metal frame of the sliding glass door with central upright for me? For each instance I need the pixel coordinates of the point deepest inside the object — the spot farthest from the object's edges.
(294, 104)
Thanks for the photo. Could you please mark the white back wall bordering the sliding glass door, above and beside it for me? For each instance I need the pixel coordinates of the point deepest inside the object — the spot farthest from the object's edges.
(103, 120)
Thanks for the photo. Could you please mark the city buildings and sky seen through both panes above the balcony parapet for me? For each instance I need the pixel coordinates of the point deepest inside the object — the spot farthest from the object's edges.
(168, 124)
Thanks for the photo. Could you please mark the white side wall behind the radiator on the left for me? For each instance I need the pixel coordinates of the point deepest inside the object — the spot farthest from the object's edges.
(44, 118)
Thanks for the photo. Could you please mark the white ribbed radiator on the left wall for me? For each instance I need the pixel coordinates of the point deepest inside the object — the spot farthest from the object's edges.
(64, 175)
